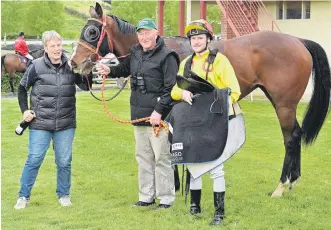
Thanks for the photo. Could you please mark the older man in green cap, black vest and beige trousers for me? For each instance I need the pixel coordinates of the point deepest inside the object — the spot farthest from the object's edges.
(153, 68)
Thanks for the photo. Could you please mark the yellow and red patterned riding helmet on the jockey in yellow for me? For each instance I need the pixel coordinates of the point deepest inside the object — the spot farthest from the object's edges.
(197, 27)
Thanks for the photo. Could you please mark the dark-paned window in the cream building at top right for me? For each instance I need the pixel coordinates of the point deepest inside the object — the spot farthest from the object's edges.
(293, 10)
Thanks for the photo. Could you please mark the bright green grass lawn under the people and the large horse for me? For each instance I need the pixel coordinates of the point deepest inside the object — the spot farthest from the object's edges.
(104, 177)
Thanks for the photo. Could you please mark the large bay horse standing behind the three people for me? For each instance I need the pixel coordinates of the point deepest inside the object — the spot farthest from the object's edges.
(279, 64)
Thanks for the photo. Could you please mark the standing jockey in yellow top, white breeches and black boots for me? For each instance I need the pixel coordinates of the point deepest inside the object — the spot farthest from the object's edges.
(219, 73)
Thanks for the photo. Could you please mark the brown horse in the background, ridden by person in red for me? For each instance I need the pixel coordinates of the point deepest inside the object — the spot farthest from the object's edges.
(12, 63)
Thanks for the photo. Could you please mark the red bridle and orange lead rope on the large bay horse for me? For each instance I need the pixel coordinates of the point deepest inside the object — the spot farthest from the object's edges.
(96, 51)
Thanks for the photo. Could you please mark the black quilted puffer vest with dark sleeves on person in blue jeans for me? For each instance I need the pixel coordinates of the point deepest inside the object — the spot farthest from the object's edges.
(53, 94)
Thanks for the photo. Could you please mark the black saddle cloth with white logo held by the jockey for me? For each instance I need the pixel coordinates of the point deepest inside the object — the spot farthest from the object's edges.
(199, 131)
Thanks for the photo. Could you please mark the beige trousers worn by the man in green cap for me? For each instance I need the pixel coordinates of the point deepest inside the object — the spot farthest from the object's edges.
(155, 174)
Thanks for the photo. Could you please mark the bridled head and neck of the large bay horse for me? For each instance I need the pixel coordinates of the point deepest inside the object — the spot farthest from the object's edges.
(102, 35)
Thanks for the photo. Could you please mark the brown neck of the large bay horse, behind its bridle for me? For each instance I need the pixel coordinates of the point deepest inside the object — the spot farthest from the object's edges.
(122, 43)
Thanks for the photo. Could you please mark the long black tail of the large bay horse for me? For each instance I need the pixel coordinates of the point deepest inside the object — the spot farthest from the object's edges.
(319, 103)
